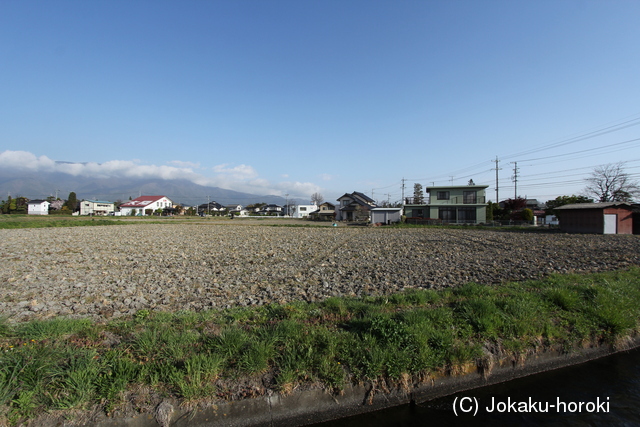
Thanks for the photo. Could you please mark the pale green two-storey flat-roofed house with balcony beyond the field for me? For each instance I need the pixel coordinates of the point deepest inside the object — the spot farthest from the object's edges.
(450, 205)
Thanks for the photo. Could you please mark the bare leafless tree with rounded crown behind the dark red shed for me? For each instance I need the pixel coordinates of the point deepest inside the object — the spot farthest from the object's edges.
(610, 183)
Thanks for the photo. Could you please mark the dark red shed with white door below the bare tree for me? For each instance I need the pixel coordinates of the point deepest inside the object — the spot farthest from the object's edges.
(598, 218)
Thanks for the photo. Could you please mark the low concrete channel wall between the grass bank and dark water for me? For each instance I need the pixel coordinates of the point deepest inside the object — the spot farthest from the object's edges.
(314, 406)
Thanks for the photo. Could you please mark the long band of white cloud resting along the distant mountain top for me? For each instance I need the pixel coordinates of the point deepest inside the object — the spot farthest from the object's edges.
(242, 177)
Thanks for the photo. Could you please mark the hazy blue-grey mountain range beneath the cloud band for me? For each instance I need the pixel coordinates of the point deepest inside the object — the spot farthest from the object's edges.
(42, 185)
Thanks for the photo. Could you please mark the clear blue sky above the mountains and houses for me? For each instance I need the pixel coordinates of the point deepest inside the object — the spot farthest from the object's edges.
(294, 97)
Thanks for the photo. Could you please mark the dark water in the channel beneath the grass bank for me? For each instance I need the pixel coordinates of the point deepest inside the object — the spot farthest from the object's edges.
(609, 389)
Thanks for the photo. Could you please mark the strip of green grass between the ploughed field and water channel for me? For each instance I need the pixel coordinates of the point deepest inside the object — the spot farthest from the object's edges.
(390, 341)
